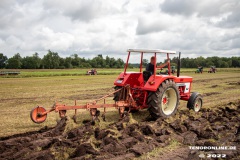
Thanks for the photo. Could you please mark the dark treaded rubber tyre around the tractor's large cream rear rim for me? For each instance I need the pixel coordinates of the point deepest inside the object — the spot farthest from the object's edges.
(154, 100)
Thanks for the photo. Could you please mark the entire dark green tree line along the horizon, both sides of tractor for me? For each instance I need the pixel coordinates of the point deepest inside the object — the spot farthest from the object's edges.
(53, 61)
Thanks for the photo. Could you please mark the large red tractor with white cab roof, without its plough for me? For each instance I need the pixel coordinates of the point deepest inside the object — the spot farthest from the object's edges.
(160, 93)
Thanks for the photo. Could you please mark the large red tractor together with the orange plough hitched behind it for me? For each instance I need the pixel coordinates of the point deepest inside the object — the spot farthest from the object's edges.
(160, 94)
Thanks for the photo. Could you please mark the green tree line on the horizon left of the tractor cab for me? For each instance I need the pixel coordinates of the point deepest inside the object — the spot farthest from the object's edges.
(53, 61)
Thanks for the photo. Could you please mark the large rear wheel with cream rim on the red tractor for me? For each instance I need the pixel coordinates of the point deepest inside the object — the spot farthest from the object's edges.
(163, 102)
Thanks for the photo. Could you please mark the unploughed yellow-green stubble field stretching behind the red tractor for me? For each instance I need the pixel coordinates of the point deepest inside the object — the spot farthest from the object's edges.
(40, 87)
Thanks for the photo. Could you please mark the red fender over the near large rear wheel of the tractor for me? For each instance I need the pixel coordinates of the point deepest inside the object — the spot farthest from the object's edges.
(153, 83)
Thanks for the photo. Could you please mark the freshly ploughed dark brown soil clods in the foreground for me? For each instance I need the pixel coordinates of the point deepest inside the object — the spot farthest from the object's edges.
(126, 140)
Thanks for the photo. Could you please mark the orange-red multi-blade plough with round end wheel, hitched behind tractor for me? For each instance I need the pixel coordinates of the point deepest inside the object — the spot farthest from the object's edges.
(39, 114)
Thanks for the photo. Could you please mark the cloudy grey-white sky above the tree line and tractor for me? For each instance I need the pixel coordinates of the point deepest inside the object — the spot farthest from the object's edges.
(109, 27)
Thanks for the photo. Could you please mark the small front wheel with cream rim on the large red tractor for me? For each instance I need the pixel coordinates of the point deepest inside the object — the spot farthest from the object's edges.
(195, 102)
